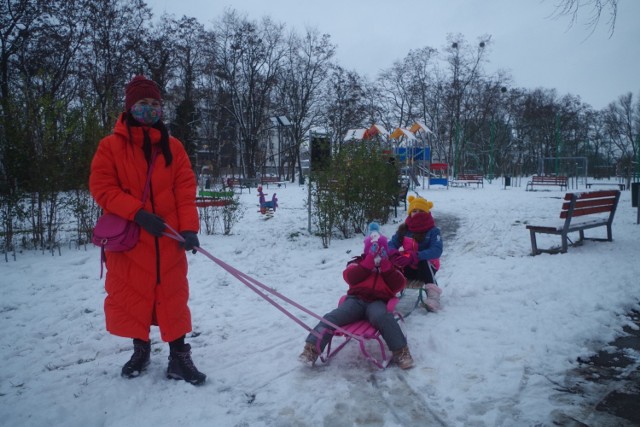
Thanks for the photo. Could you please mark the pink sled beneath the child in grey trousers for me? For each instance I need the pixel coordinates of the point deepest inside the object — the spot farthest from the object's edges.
(362, 331)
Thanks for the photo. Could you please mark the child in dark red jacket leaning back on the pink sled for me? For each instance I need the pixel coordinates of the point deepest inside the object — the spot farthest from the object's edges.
(373, 280)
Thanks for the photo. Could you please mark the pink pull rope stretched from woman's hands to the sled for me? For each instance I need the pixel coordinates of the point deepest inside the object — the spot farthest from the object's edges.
(252, 284)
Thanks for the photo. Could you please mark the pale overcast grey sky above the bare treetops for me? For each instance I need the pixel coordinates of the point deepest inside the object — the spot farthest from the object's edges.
(538, 50)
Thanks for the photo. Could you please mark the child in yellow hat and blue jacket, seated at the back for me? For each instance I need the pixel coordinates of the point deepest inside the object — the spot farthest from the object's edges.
(416, 247)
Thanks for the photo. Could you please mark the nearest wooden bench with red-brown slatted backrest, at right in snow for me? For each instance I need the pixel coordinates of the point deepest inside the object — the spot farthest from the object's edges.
(586, 206)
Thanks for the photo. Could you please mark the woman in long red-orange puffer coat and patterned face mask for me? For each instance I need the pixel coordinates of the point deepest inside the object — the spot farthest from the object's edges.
(148, 285)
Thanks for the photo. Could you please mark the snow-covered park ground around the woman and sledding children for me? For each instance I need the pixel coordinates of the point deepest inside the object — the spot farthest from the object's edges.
(511, 328)
